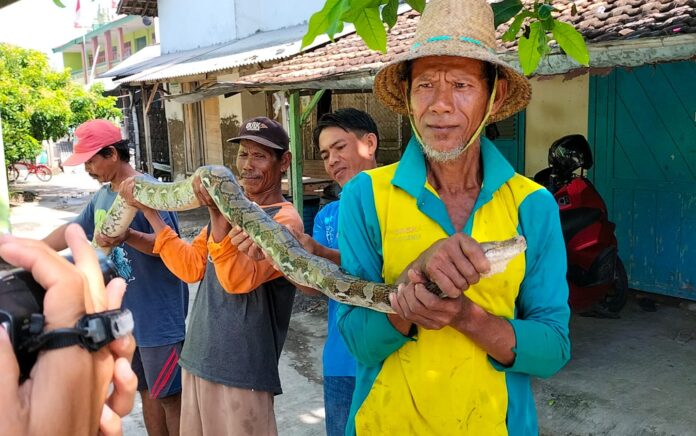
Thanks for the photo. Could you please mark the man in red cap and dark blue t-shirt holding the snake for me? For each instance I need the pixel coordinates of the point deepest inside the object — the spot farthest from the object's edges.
(157, 299)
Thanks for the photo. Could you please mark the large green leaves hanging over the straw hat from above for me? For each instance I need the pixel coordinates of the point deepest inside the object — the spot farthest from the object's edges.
(533, 25)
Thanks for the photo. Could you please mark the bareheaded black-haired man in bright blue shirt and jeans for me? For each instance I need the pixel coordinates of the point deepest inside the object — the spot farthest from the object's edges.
(348, 141)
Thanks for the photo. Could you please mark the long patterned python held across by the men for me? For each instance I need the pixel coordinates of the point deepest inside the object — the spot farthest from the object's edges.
(287, 253)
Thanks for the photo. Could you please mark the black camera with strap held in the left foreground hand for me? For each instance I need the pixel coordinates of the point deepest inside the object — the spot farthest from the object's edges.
(21, 313)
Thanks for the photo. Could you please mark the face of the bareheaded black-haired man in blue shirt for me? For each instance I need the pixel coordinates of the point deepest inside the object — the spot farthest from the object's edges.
(345, 154)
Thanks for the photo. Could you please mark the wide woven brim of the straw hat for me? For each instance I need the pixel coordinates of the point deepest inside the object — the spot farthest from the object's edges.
(387, 83)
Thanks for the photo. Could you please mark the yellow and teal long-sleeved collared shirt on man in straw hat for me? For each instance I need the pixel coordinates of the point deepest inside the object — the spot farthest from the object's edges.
(439, 382)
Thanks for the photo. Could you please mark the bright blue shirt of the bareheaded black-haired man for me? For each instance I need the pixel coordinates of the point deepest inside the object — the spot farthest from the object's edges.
(337, 361)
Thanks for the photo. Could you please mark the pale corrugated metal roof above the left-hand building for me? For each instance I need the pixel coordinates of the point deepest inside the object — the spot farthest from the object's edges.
(260, 47)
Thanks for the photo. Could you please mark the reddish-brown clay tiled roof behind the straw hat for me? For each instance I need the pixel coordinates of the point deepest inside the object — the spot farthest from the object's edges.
(598, 21)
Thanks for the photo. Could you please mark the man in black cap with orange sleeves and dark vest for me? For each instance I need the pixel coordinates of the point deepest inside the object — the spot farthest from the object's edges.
(241, 313)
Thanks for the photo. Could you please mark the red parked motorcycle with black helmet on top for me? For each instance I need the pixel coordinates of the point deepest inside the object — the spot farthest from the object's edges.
(596, 276)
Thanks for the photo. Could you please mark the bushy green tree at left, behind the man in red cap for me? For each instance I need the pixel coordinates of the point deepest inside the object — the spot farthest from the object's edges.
(37, 103)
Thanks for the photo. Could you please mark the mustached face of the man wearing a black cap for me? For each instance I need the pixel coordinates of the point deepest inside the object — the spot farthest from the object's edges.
(259, 169)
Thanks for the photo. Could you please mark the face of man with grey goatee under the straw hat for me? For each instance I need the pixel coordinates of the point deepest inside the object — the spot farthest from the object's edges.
(448, 100)
